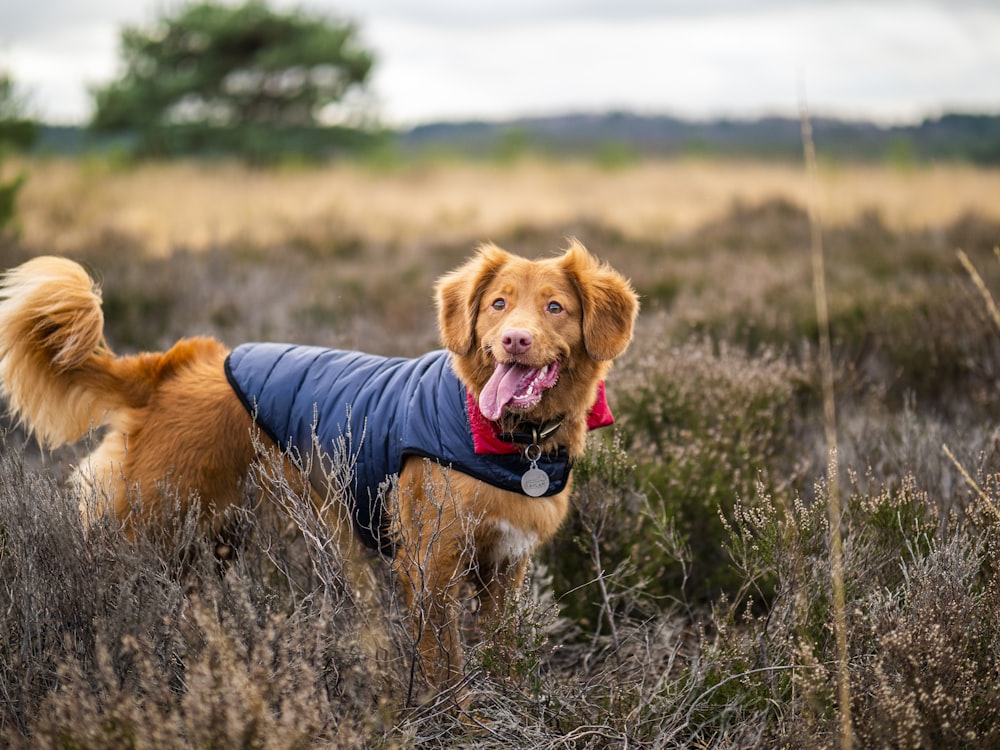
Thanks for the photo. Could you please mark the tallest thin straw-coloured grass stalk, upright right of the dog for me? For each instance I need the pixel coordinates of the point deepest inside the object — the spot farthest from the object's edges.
(830, 433)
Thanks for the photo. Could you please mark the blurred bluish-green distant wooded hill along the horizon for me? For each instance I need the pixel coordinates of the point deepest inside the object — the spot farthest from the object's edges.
(973, 138)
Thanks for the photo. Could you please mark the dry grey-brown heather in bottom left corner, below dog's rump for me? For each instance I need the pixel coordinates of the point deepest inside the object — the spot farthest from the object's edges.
(107, 642)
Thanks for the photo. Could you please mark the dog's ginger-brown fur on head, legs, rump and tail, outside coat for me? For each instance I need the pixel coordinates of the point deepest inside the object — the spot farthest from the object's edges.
(174, 425)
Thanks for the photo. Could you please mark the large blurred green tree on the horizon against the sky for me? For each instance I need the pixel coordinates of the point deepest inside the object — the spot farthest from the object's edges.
(221, 78)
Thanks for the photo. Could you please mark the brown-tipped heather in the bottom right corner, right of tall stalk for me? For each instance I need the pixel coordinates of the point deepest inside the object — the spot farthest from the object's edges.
(930, 652)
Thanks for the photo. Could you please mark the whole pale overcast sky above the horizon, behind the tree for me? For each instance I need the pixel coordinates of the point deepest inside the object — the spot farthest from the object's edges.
(889, 60)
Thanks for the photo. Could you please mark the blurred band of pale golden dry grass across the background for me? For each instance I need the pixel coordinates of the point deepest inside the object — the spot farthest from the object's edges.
(68, 206)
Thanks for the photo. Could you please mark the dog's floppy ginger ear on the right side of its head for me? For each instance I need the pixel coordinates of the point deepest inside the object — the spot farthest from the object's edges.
(610, 305)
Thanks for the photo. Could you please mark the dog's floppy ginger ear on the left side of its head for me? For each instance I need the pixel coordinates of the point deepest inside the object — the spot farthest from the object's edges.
(459, 294)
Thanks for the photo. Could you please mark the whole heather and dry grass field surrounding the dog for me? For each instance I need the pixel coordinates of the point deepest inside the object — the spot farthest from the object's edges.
(688, 600)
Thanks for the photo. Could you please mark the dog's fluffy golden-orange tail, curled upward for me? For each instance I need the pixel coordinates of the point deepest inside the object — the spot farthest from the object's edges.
(56, 369)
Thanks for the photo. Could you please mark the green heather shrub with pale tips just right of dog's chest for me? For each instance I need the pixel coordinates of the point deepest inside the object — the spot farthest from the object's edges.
(705, 425)
